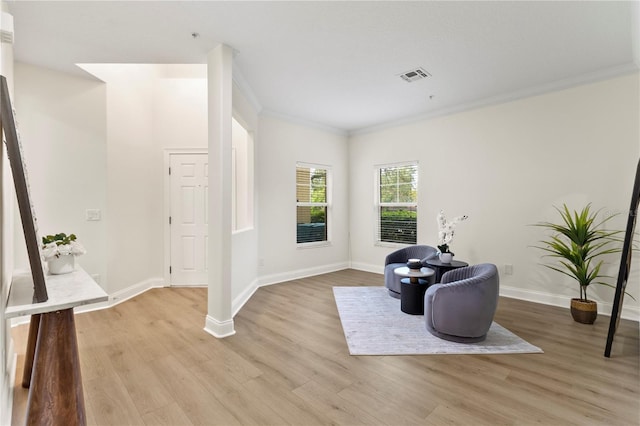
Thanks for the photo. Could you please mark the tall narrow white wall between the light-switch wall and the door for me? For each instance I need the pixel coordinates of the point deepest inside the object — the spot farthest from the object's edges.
(133, 240)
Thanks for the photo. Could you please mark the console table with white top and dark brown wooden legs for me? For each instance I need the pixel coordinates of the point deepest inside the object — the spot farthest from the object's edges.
(52, 364)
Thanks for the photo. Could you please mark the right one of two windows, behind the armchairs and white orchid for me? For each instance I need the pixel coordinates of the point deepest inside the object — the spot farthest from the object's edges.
(397, 203)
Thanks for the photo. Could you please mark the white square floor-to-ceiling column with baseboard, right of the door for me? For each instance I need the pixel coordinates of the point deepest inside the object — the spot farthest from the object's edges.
(219, 321)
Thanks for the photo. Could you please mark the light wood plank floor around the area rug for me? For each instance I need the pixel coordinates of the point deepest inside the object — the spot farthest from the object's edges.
(148, 361)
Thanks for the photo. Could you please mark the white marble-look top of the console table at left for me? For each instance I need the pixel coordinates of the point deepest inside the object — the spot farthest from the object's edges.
(65, 291)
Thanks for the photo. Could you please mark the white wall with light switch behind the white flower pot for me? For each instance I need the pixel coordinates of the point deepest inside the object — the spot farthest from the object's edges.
(62, 123)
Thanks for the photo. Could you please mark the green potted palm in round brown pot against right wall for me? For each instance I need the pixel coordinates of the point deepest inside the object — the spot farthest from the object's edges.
(578, 243)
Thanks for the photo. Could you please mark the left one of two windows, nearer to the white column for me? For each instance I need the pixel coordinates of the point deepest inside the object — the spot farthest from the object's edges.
(312, 203)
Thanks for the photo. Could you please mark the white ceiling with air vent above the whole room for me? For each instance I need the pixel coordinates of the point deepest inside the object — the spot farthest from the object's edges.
(336, 64)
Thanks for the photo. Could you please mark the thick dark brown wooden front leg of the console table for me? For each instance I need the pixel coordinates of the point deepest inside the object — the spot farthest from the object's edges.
(55, 395)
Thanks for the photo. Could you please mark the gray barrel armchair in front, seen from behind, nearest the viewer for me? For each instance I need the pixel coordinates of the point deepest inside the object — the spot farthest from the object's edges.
(461, 307)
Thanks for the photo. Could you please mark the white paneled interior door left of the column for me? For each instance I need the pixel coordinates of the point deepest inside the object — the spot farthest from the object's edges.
(188, 220)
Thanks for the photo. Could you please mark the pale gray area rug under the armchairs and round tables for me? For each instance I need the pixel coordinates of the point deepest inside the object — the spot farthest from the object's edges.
(373, 324)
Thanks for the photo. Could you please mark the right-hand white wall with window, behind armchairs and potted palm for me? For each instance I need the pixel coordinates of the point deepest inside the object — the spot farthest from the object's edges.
(506, 166)
